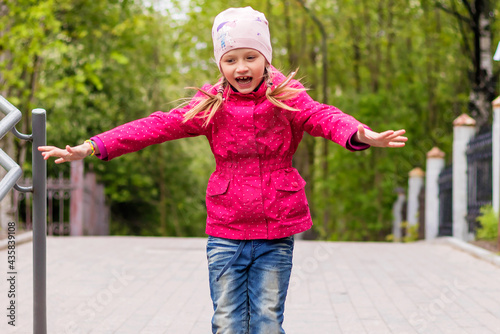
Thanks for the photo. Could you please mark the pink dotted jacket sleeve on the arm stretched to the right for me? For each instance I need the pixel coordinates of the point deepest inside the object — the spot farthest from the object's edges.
(321, 120)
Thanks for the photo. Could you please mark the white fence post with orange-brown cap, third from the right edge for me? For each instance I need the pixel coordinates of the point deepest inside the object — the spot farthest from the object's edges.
(434, 166)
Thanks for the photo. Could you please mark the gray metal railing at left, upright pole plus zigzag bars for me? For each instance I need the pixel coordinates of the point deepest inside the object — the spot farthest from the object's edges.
(39, 190)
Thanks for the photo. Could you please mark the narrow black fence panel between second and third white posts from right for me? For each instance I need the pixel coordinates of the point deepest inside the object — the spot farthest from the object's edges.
(446, 202)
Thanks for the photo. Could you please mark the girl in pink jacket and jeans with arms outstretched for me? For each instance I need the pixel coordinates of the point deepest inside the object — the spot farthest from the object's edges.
(254, 119)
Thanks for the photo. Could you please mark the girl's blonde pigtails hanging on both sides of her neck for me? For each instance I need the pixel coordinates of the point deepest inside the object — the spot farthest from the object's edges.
(211, 103)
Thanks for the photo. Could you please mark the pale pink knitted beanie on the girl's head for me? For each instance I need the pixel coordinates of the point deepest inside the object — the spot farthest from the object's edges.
(237, 28)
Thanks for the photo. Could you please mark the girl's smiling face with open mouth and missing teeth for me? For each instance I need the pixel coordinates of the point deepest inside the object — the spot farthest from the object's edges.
(243, 69)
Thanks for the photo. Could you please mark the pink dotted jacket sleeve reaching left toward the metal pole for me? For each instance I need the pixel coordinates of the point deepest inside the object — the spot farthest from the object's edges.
(156, 128)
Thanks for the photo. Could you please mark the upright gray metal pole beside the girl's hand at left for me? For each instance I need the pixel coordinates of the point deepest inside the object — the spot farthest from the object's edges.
(39, 223)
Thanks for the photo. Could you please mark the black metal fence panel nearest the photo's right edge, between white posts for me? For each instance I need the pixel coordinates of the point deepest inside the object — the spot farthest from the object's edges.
(480, 179)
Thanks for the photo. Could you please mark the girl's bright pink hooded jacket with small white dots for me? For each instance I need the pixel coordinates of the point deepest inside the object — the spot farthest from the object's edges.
(254, 192)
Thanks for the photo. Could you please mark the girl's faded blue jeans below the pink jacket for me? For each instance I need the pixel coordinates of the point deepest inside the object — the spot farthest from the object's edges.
(248, 284)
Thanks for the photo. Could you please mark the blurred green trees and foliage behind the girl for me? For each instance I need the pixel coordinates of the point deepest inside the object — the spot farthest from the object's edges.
(95, 64)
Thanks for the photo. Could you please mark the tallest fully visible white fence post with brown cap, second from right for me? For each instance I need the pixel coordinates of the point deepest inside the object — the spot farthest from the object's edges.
(463, 131)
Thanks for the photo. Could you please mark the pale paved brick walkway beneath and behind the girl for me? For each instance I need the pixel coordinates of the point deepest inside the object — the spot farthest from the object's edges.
(142, 285)
